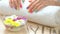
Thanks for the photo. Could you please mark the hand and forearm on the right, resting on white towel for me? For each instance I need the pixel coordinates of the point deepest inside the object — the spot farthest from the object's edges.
(42, 3)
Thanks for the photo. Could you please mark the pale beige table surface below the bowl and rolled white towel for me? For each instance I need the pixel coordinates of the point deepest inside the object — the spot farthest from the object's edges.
(31, 28)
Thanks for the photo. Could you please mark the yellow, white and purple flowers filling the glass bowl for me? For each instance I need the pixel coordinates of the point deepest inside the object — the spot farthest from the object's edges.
(14, 21)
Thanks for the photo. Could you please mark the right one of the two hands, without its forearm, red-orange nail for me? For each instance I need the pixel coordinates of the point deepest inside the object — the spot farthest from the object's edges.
(37, 5)
